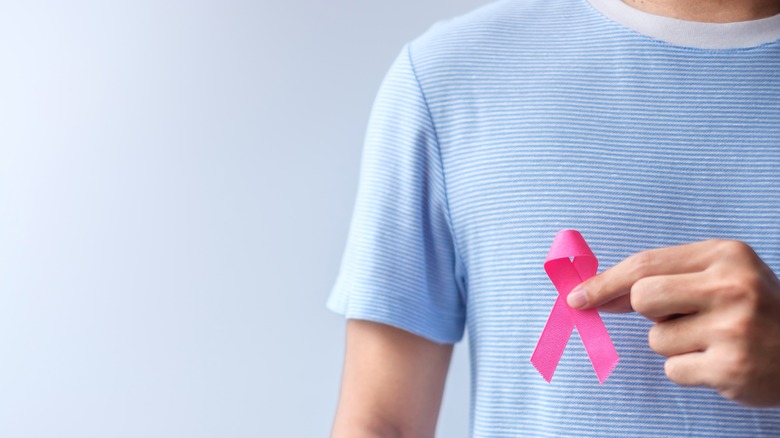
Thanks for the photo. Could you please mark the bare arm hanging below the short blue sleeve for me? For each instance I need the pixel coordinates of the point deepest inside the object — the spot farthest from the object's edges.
(392, 384)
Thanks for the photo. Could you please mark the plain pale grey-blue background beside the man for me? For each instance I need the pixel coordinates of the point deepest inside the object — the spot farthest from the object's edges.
(176, 183)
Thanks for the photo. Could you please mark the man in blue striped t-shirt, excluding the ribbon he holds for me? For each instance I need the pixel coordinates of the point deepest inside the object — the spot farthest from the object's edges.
(653, 127)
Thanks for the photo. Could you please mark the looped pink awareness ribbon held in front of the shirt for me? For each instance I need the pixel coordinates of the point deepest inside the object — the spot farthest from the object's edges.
(569, 263)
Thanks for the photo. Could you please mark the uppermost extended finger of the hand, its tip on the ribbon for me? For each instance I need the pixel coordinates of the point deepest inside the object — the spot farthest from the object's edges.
(617, 280)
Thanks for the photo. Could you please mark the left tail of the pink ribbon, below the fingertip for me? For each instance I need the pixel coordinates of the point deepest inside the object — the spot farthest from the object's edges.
(553, 340)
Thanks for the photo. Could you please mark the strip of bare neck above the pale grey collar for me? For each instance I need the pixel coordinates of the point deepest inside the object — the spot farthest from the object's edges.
(711, 11)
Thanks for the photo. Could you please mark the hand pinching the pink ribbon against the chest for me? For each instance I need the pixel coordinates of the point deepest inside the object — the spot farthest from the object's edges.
(716, 308)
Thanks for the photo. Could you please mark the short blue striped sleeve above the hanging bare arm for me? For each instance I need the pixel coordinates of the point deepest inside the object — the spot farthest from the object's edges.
(399, 265)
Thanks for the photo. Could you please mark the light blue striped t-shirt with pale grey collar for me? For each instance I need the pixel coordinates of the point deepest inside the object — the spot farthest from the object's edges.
(494, 130)
